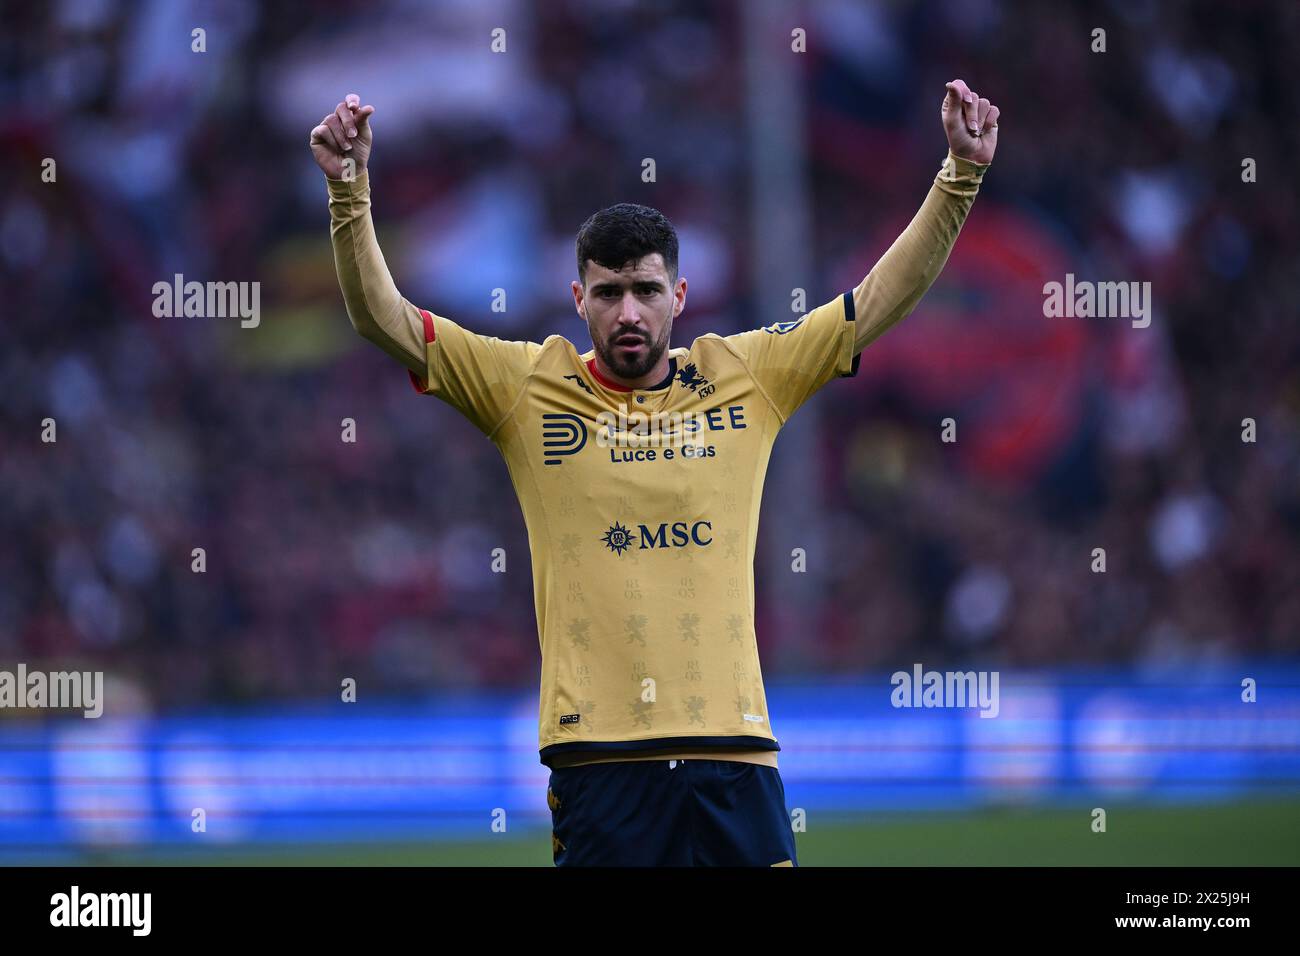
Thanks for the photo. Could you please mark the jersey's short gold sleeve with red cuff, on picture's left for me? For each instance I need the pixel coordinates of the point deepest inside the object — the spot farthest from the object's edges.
(482, 377)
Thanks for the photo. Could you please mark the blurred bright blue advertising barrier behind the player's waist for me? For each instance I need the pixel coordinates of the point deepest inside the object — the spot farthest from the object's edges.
(458, 765)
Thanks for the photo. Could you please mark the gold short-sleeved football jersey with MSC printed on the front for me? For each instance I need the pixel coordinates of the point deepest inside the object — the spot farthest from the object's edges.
(642, 508)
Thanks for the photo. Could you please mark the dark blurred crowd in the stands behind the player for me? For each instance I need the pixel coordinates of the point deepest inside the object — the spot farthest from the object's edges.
(324, 559)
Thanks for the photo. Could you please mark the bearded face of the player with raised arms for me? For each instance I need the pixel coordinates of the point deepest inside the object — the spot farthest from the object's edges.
(630, 315)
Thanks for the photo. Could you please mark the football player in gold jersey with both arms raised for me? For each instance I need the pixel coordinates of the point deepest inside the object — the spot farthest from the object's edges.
(640, 468)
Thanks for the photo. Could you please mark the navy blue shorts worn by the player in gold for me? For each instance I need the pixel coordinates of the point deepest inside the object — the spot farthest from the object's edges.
(670, 814)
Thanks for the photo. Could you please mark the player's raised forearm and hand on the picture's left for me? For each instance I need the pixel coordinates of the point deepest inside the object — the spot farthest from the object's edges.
(341, 146)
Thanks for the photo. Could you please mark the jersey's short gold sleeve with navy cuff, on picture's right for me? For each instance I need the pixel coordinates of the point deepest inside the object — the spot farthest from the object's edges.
(791, 361)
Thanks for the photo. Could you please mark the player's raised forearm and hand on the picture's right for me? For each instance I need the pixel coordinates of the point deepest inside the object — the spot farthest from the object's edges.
(903, 275)
